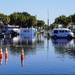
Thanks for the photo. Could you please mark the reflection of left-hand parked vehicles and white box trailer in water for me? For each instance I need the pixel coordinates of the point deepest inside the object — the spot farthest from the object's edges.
(15, 41)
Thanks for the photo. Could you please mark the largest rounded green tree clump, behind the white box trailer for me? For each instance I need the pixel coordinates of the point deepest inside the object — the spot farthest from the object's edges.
(22, 19)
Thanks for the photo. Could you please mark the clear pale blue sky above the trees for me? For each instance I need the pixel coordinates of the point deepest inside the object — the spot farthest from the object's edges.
(41, 8)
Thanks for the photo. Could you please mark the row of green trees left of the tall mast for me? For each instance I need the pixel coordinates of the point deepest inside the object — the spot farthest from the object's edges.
(23, 19)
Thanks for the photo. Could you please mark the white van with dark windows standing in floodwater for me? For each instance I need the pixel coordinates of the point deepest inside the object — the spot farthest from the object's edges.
(62, 32)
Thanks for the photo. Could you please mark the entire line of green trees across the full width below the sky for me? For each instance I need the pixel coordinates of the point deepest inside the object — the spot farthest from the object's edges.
(24, 19)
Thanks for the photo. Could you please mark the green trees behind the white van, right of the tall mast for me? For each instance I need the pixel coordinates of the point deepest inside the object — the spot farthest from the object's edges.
(64, 21)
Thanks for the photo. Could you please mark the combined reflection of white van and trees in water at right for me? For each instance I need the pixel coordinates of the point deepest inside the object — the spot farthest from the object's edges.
(64, 46)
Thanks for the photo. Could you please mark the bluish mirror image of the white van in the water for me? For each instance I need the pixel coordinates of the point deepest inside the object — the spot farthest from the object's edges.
(63, 43)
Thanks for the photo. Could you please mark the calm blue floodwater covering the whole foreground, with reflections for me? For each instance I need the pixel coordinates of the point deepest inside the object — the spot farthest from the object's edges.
(42, 56)
